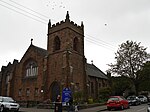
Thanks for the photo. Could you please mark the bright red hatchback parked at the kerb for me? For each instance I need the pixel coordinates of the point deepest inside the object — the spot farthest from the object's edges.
(117, 102)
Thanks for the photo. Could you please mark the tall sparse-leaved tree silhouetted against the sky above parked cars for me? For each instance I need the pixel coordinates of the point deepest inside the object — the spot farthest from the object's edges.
(130, 58)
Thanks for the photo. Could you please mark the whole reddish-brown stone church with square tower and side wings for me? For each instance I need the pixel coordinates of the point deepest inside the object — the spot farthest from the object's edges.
(42, 74)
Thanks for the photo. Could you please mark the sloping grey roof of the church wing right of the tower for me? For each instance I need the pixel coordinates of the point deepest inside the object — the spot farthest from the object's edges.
(93, 71)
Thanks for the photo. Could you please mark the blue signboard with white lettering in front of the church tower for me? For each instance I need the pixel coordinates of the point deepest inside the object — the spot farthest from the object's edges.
(66, 95)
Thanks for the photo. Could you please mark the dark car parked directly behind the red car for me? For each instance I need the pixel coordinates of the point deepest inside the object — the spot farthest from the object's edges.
(133, 100)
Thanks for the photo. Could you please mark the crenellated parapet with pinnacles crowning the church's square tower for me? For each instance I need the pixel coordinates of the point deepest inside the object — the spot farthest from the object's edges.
(65, 24)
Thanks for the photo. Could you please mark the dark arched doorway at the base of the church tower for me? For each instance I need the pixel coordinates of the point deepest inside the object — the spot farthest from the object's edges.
(55, 91)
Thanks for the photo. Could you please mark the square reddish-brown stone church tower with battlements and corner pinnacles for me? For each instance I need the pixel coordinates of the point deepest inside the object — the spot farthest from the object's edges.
(66, 60)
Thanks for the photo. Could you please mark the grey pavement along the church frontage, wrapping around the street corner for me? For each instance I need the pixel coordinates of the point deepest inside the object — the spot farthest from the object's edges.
(93, 109)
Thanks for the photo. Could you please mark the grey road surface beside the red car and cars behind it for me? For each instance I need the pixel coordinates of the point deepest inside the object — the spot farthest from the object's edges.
(139, 108)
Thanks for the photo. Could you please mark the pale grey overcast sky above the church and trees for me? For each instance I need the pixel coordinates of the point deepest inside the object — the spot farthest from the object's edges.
(107, 24)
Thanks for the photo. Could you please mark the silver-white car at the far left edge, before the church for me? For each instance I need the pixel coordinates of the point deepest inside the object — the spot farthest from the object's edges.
(7, 103)
